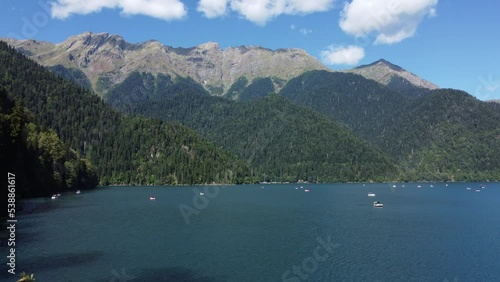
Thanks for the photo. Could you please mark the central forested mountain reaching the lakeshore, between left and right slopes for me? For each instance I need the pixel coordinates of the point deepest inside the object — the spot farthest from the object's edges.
(279, 140)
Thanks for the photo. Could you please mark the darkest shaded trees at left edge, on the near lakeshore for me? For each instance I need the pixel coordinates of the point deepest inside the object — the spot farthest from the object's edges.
(41, 162)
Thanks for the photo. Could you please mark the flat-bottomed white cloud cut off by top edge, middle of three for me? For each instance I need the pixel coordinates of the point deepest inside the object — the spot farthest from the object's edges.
(261, 11)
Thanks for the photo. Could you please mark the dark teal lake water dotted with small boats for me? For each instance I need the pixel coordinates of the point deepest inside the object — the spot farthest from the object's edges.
(264, 233)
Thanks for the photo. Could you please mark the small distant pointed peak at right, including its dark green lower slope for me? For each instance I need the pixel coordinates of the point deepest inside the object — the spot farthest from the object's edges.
(394, 77)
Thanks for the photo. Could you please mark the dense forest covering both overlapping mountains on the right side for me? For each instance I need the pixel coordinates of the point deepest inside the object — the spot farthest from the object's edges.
(442, 134)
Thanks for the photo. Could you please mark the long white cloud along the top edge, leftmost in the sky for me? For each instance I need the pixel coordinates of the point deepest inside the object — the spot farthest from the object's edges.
(161, 9)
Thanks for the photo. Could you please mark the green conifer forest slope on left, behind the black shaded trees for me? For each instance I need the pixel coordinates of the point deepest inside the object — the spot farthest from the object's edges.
(122, 149)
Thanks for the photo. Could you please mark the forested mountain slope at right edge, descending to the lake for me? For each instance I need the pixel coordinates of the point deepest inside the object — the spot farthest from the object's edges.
(447, 134)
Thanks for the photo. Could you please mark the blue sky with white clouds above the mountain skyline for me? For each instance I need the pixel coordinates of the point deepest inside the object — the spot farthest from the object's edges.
(454, 44)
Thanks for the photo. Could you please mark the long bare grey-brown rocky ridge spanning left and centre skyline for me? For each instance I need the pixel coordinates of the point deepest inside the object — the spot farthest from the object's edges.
(107, 60)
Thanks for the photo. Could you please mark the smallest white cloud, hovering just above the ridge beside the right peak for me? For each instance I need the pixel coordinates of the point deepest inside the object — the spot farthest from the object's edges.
(340, 55)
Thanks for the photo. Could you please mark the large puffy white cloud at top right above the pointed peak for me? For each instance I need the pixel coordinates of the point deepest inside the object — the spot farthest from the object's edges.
(392, 21)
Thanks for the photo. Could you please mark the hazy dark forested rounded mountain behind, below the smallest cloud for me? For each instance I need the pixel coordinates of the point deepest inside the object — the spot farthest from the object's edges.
(356, 102)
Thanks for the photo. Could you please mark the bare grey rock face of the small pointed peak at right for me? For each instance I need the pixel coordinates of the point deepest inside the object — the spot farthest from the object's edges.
(384, 72)
